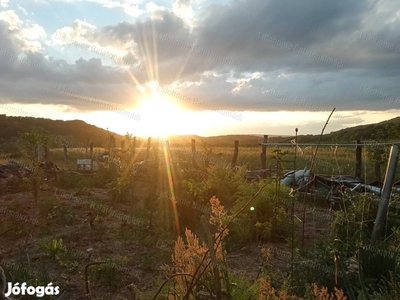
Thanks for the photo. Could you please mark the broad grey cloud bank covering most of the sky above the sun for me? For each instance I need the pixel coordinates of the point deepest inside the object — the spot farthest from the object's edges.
(238, 55)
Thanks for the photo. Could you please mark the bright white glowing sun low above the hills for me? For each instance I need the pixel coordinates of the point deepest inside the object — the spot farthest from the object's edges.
(160, 116)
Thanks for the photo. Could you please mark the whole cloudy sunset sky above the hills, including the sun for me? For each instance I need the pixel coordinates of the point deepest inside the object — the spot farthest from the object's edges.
(200, 66)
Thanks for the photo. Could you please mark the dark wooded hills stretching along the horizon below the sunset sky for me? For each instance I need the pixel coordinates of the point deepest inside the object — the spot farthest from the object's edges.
(78, 132)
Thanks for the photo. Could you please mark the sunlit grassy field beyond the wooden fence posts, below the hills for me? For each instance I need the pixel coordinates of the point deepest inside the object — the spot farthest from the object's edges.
(327, 162)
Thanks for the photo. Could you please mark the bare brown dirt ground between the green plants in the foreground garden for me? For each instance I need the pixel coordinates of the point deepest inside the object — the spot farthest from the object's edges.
(91, 237)
